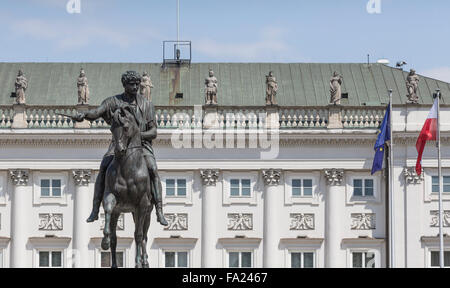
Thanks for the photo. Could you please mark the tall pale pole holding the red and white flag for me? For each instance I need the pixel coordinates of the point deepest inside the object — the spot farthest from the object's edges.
(438, 144)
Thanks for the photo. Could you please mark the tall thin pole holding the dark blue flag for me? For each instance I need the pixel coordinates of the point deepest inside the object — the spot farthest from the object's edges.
(391, 177)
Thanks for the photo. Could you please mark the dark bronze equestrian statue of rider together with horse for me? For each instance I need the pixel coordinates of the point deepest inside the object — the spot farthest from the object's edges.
(128, 180)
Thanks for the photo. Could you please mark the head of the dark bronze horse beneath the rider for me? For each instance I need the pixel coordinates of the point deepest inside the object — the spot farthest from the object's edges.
(124, 127)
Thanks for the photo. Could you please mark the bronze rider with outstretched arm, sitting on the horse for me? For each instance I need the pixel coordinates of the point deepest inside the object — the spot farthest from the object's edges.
(145, 116)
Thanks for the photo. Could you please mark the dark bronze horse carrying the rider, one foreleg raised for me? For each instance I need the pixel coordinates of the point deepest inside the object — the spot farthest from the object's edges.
(127, 186)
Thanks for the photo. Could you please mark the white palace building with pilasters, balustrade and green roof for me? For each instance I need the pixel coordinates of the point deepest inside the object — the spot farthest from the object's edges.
(300, 195)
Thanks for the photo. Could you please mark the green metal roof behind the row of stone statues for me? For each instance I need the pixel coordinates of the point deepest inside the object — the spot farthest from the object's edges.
(300, 84)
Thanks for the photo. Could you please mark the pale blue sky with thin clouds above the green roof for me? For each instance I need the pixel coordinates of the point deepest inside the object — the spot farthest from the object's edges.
(230, 31)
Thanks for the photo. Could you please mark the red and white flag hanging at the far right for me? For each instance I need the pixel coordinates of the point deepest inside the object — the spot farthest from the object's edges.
(428, 133)
